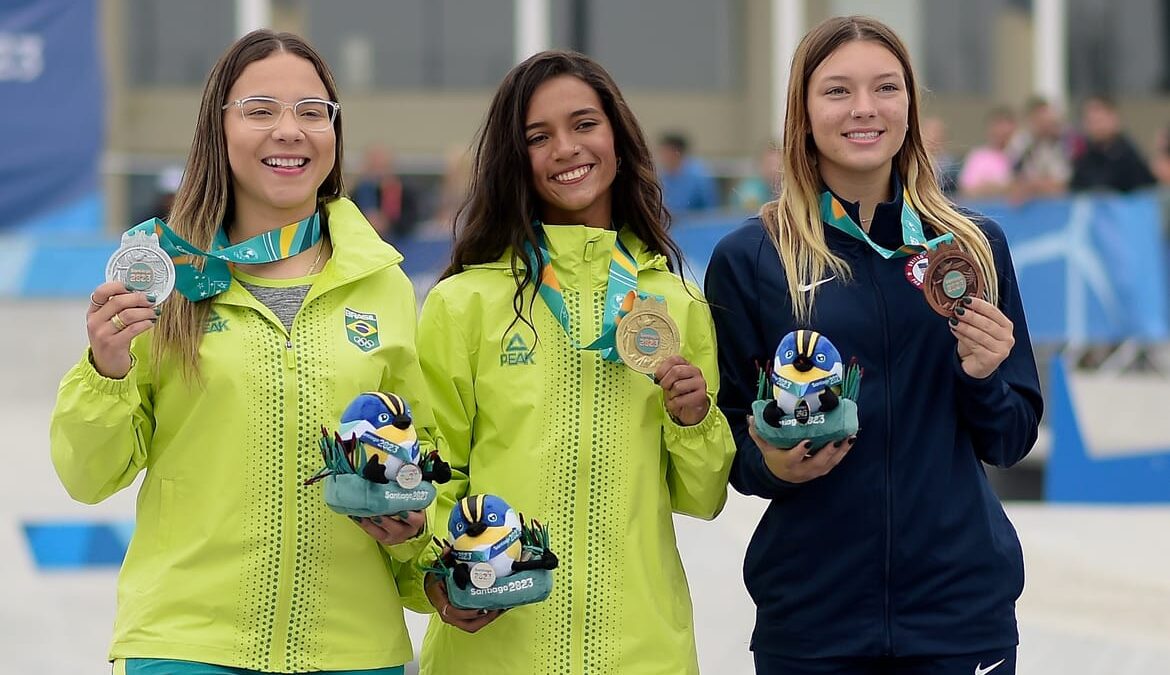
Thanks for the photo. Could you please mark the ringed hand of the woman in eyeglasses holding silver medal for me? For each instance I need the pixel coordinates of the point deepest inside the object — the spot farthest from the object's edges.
(115, 318)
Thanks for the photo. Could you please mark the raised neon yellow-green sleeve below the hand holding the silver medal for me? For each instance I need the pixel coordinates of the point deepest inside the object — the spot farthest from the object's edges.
(101, 430)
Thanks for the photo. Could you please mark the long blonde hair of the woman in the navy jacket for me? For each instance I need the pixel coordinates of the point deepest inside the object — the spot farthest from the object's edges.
(794, 222)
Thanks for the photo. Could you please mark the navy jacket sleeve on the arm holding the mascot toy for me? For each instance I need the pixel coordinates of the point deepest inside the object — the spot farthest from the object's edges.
(733, 293)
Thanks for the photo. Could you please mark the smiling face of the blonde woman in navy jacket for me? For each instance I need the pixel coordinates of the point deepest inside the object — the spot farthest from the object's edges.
(858, 109)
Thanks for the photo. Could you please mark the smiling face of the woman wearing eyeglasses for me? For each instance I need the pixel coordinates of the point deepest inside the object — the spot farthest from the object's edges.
(277, 173)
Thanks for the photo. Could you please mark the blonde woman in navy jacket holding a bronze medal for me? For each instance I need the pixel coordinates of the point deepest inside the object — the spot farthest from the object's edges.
(889, 553)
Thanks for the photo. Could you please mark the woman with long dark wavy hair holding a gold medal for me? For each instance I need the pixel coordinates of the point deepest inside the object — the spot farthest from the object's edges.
(563, 221)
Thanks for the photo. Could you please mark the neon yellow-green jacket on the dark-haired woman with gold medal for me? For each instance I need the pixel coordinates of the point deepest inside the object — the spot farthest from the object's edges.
(584, 446)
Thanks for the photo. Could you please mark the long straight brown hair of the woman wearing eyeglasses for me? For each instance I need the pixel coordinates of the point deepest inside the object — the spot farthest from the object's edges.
(205, 198)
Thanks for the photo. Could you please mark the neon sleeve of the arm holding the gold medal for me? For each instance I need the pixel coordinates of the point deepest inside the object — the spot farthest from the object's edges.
(699, 457)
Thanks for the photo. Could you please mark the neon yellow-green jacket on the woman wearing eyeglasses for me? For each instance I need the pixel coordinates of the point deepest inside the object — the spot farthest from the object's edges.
(233, 560)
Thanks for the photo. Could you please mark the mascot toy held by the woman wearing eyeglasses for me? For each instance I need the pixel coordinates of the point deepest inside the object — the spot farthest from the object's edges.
(374, 464)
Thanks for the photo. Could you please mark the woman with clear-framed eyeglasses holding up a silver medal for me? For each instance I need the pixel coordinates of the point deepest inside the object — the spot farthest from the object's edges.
(221, 396)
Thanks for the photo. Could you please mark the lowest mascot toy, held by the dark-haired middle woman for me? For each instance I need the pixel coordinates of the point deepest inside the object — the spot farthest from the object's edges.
(497, 560)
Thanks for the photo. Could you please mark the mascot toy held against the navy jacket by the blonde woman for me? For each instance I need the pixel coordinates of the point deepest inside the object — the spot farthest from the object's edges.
(814, 396)
